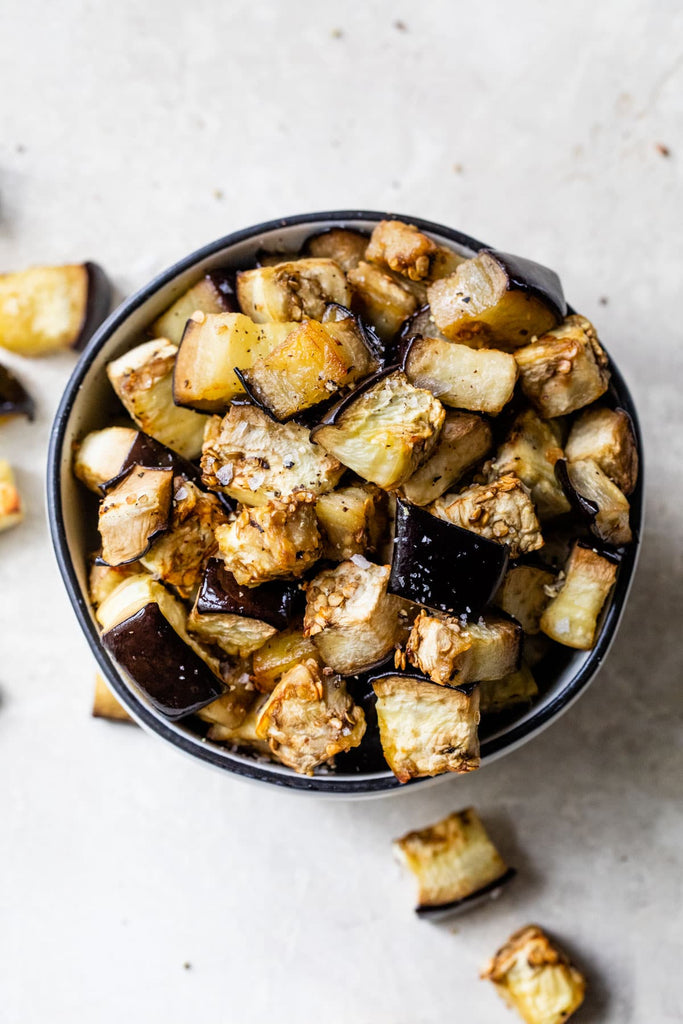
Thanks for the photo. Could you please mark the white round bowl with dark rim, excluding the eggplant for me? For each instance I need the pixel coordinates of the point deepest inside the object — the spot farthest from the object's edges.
(87, 405)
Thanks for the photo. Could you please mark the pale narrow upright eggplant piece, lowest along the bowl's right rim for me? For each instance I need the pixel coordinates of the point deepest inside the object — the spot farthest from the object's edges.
(572, 617)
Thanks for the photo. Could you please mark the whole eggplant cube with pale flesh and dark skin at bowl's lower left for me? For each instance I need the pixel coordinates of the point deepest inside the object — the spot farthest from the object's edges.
(145, 630)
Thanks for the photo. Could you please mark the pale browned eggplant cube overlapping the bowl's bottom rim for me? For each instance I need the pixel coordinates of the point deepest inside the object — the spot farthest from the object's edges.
(426, 730)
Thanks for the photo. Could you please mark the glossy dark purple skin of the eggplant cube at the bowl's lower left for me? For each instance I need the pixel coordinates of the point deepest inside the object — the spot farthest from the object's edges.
(173, 677)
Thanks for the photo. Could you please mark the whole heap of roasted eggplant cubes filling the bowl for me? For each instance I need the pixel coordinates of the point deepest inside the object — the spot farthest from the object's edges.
(365, 490)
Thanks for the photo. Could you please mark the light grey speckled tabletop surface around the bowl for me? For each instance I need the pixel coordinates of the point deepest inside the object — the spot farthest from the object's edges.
(133, 134)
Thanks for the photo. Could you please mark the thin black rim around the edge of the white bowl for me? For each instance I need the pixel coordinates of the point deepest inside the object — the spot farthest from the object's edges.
(195, 746)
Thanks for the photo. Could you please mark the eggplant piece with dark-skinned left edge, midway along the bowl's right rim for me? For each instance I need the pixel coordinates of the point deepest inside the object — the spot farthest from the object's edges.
(600, 501)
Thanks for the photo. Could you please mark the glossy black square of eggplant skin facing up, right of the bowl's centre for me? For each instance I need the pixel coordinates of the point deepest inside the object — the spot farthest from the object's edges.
(442, 566)
